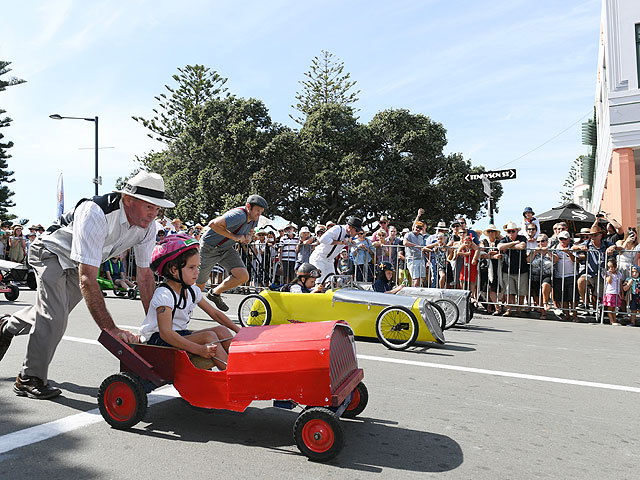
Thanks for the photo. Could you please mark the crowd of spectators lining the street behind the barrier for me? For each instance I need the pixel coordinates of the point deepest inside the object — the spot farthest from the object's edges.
(511, 270)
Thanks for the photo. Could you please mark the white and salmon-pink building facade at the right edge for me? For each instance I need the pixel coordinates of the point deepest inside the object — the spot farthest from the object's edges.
(609, 169)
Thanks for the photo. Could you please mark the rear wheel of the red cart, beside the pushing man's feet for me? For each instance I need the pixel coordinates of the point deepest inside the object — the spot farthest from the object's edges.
(122, 400)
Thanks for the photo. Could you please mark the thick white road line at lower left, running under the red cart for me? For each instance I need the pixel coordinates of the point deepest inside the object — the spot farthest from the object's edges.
(38, 433)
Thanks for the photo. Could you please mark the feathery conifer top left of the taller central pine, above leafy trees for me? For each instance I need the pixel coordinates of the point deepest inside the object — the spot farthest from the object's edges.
(196, 85)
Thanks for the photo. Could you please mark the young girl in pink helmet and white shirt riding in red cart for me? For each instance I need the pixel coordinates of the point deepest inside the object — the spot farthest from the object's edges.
(177, 259)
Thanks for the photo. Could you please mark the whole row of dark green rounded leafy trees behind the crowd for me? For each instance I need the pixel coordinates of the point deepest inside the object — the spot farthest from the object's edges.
(334, 166)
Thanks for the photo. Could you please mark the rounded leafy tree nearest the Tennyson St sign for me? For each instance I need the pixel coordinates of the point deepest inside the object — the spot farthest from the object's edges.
(410, 171)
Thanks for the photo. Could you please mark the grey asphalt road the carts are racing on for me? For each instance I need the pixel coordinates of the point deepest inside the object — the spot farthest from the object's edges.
(504, 398)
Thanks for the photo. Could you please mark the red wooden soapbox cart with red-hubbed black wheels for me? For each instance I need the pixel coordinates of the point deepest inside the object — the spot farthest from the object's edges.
(310, 364)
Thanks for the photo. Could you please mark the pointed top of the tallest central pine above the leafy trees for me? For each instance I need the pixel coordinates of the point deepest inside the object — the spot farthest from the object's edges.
(325, 84)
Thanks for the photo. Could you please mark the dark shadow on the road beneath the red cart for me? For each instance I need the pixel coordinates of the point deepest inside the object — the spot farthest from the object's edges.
(370, 444)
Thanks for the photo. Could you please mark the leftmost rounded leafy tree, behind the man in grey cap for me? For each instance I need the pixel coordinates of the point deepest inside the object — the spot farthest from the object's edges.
(210, 166)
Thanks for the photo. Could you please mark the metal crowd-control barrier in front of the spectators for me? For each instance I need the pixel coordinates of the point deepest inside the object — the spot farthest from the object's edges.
(570, 281)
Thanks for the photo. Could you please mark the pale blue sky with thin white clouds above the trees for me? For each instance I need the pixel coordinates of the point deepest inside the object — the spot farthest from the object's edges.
(503, 77)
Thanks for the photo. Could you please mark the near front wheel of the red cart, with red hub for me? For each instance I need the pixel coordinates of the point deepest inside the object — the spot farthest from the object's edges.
(318, 434)
